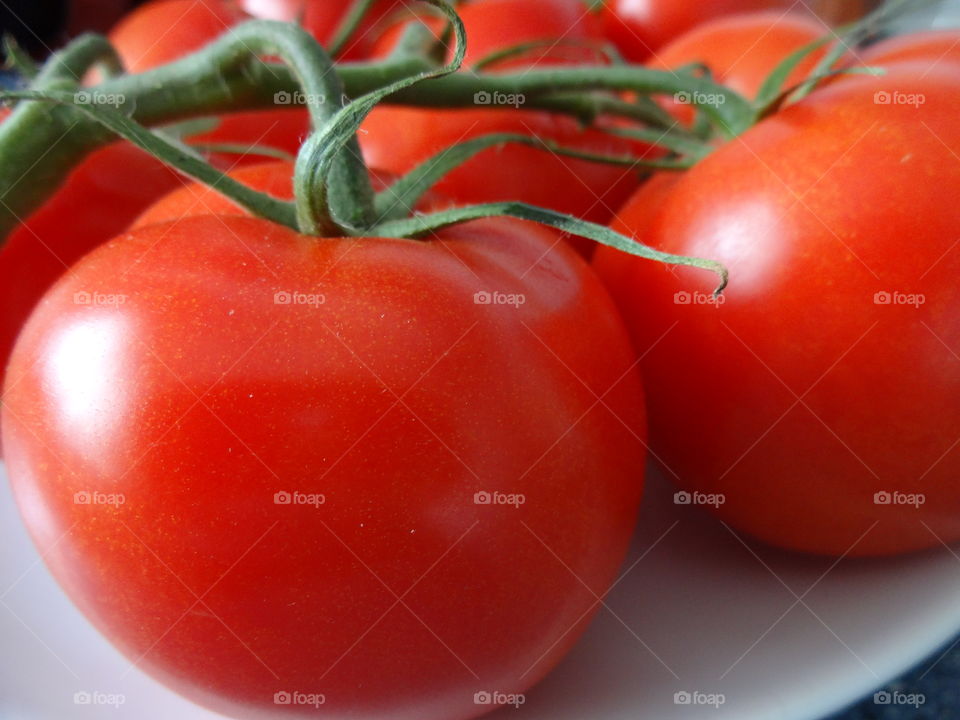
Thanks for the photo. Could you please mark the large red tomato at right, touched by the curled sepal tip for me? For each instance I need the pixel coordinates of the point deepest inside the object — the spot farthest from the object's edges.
(820, 394)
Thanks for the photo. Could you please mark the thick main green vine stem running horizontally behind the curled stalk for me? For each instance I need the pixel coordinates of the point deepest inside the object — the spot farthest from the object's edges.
(40, 144)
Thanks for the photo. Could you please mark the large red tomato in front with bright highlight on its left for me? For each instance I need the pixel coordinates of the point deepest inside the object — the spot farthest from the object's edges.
(276, 467)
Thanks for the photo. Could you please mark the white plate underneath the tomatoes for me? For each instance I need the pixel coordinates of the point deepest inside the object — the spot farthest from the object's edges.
(780, 636)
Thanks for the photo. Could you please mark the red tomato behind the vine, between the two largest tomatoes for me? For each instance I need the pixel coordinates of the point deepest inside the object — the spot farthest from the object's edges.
(579, 187)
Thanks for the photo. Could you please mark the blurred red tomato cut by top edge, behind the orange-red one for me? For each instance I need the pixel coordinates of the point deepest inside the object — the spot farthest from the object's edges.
(640, 27)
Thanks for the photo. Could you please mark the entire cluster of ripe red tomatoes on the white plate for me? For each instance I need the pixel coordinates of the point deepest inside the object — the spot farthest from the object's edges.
(392, 476)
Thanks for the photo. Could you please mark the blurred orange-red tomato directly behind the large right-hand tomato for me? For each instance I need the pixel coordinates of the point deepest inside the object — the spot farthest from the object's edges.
(742, 50)
